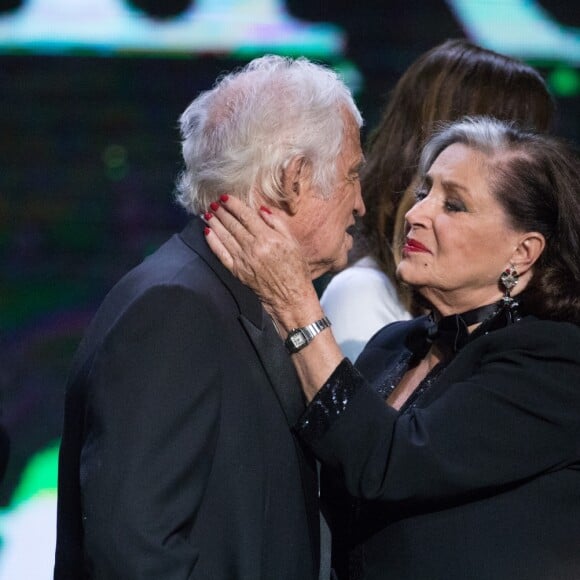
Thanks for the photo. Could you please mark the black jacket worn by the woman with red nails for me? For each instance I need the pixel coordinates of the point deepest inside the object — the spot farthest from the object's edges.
(479, 479)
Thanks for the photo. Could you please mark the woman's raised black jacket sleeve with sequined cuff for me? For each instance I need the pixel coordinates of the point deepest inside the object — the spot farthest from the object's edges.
(504, 411)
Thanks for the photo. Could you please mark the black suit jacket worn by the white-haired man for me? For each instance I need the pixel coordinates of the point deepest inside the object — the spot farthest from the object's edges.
(177, 459)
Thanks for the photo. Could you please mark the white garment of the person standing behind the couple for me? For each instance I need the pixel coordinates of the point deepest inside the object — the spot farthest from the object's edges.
(359, 301)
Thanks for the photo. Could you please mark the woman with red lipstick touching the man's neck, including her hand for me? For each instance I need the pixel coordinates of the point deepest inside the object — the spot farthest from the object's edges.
(458, 434)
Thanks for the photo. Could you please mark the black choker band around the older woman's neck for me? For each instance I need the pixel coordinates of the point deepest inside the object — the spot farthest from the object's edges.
(451, 331)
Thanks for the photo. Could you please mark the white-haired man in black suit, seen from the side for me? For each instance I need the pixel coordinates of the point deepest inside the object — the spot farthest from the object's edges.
(177, 458)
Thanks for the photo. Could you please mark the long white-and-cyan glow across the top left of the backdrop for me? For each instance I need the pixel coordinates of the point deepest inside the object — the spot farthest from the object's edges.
(114, 26)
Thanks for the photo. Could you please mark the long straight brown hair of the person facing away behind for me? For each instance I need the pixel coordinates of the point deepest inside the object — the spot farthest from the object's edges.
(452, 80)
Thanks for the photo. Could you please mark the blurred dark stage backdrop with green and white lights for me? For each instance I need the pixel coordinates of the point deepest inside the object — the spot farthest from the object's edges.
(90, 96)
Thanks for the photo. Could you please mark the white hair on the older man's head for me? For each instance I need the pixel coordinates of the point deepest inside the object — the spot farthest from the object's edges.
(238, 137)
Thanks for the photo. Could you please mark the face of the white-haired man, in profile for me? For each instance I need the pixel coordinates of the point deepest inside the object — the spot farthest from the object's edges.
(320, 225)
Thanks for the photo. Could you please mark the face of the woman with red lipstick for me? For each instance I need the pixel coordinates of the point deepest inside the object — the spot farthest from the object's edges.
(459, 239)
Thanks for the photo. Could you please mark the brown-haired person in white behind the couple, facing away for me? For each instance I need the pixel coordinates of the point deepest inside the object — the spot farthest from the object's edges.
(453, 79)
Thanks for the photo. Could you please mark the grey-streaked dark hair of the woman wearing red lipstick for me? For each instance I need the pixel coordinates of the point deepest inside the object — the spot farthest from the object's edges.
(536, 179)
